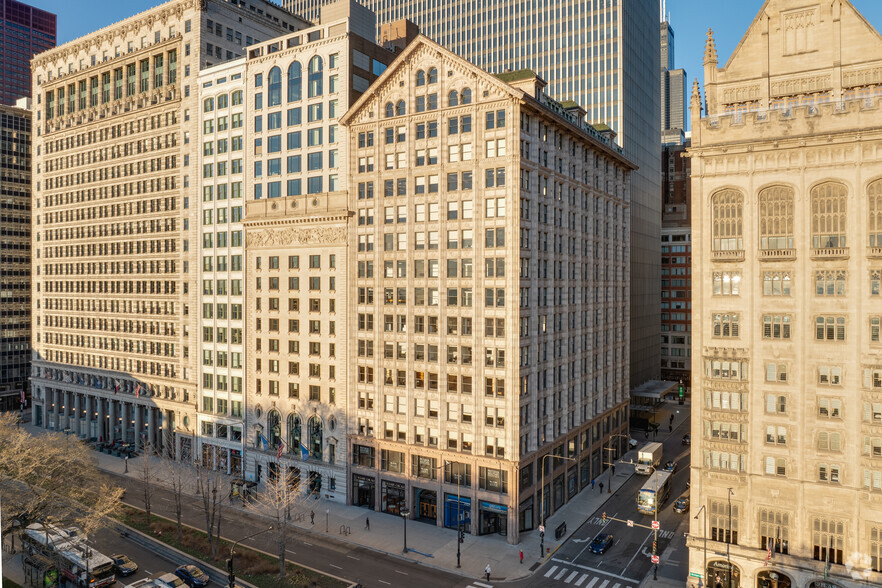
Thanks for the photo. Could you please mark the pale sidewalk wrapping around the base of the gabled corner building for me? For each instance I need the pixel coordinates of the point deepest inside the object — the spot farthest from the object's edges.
(430, 545)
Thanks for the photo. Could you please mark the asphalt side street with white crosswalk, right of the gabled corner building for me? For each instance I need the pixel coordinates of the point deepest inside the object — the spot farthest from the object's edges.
(627, 562)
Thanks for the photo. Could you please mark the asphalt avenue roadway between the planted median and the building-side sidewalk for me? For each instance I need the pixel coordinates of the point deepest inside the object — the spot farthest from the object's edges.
(357, 564)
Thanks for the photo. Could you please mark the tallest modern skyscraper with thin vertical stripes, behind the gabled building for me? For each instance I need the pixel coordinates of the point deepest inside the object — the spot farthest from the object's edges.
(605, 58)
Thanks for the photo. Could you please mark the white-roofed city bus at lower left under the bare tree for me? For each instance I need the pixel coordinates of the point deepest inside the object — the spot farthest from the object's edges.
(77, 563)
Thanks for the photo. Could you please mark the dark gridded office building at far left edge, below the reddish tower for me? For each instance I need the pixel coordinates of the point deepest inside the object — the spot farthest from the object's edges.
(15, 256)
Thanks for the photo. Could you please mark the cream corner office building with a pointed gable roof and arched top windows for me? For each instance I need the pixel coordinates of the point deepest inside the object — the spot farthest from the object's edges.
(488, 295)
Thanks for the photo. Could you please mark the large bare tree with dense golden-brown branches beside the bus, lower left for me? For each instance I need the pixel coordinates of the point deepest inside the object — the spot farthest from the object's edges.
(52, 476)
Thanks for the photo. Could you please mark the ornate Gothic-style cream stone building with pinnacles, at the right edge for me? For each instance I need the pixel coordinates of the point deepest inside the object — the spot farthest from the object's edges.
(787, 193)
